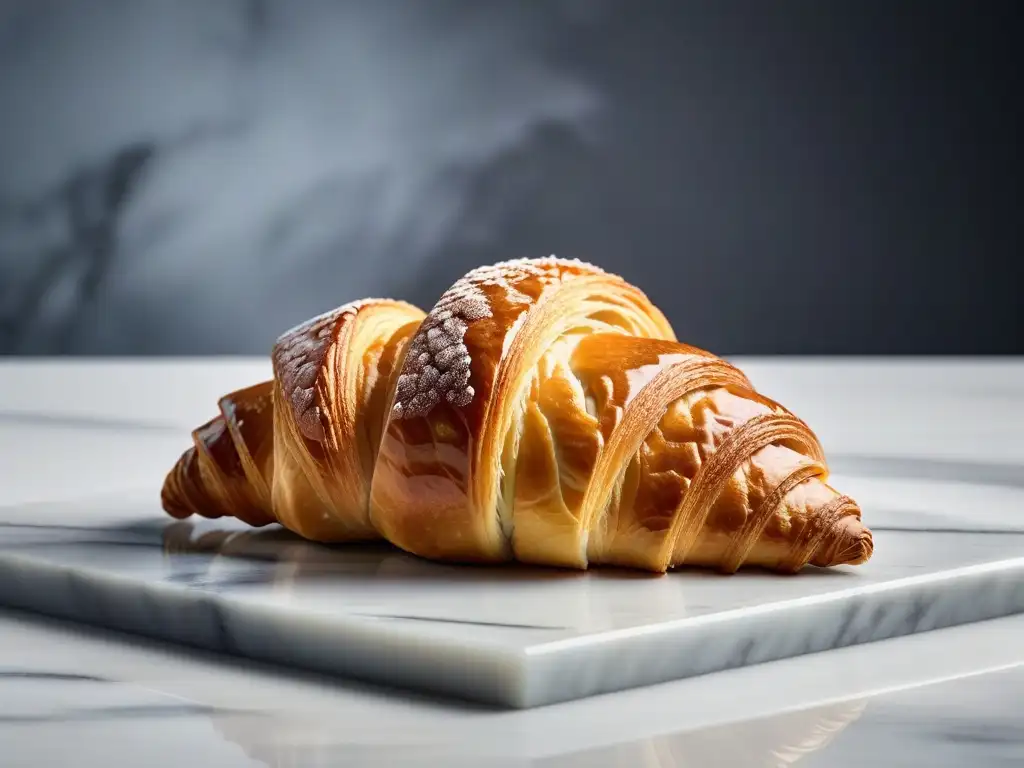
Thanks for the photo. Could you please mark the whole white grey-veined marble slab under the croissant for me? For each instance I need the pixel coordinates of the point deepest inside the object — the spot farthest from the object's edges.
(514, 637)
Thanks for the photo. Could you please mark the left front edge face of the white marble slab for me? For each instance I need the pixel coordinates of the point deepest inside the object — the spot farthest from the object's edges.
(353, 648)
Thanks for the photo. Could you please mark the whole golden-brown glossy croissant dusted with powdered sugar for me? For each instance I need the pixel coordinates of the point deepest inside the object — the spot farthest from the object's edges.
(542, 412)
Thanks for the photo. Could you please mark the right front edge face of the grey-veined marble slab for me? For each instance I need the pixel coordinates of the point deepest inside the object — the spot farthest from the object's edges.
(754, 635)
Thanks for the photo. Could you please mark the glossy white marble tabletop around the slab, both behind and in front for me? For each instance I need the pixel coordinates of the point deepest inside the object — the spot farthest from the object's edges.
(71, 696)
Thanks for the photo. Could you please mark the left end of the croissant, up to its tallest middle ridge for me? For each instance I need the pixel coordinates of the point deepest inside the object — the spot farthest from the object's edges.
(303, 446)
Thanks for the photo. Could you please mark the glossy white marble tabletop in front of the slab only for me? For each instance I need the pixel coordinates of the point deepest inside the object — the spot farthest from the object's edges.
(76, 697)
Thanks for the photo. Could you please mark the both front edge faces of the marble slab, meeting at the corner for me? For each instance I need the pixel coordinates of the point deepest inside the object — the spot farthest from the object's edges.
(529, 676)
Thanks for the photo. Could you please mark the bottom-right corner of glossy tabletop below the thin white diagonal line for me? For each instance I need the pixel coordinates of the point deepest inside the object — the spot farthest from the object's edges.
(976, 720)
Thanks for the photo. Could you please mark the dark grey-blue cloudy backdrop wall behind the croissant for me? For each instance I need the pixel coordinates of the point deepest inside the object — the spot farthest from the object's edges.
(796, 178)
